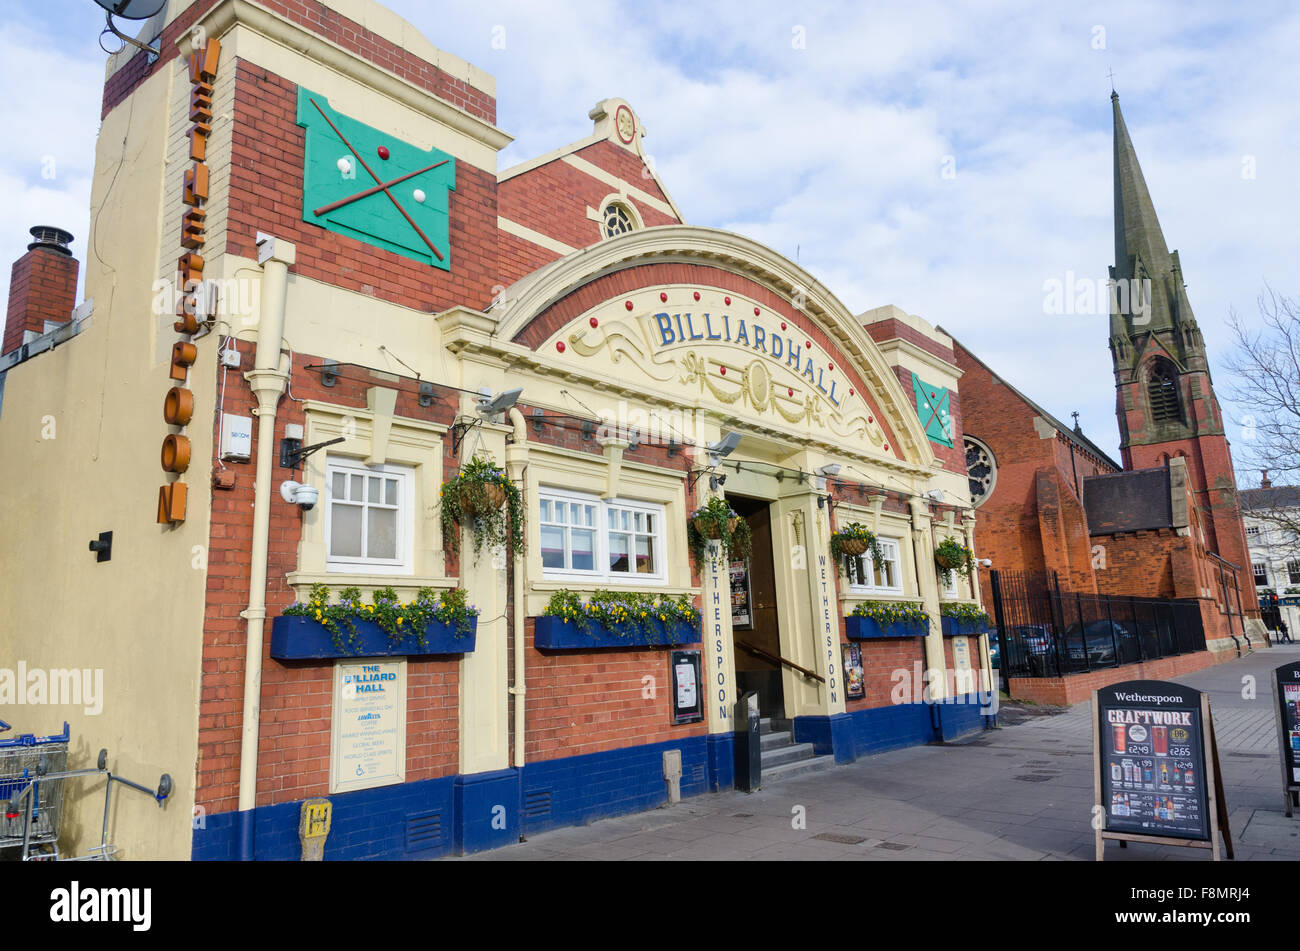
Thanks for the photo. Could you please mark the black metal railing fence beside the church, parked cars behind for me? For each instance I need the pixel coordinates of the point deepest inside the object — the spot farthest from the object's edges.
(1046, 632)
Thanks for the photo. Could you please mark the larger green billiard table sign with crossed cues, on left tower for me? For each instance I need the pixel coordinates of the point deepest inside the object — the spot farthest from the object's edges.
(365, 184)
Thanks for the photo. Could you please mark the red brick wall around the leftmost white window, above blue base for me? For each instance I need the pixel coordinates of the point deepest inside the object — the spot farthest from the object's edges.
(293, 759)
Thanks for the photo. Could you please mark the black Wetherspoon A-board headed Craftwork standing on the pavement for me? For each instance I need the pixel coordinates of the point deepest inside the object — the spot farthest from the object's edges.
(1156, 767)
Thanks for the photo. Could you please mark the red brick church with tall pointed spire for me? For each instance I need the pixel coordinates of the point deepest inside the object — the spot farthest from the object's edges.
(1165, 522)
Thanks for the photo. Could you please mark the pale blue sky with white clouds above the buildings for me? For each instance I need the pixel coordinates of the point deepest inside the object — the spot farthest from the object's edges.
(951, 159)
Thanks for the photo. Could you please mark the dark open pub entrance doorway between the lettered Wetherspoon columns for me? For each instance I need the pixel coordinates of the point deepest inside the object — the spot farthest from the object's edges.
(755, 628)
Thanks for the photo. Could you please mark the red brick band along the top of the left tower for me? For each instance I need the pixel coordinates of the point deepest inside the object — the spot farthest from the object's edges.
(319, 19)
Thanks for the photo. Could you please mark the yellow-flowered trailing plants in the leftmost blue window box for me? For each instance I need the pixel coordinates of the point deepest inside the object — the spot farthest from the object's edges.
(397, 619)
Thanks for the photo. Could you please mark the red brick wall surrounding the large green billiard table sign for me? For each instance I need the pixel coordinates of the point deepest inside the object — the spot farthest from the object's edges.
(267, 194)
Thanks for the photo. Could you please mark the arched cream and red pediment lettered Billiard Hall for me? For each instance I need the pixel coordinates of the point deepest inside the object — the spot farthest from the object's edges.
(723, 322)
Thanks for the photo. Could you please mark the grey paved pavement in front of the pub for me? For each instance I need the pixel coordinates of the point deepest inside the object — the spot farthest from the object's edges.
(1020, 793)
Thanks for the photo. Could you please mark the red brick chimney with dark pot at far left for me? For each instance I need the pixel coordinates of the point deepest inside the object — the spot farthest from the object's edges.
(42, 289)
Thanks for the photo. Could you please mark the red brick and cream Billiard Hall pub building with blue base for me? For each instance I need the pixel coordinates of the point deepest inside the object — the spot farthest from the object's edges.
(310, 296)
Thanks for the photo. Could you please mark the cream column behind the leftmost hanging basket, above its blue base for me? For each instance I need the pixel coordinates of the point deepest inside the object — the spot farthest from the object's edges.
(484, 672)
